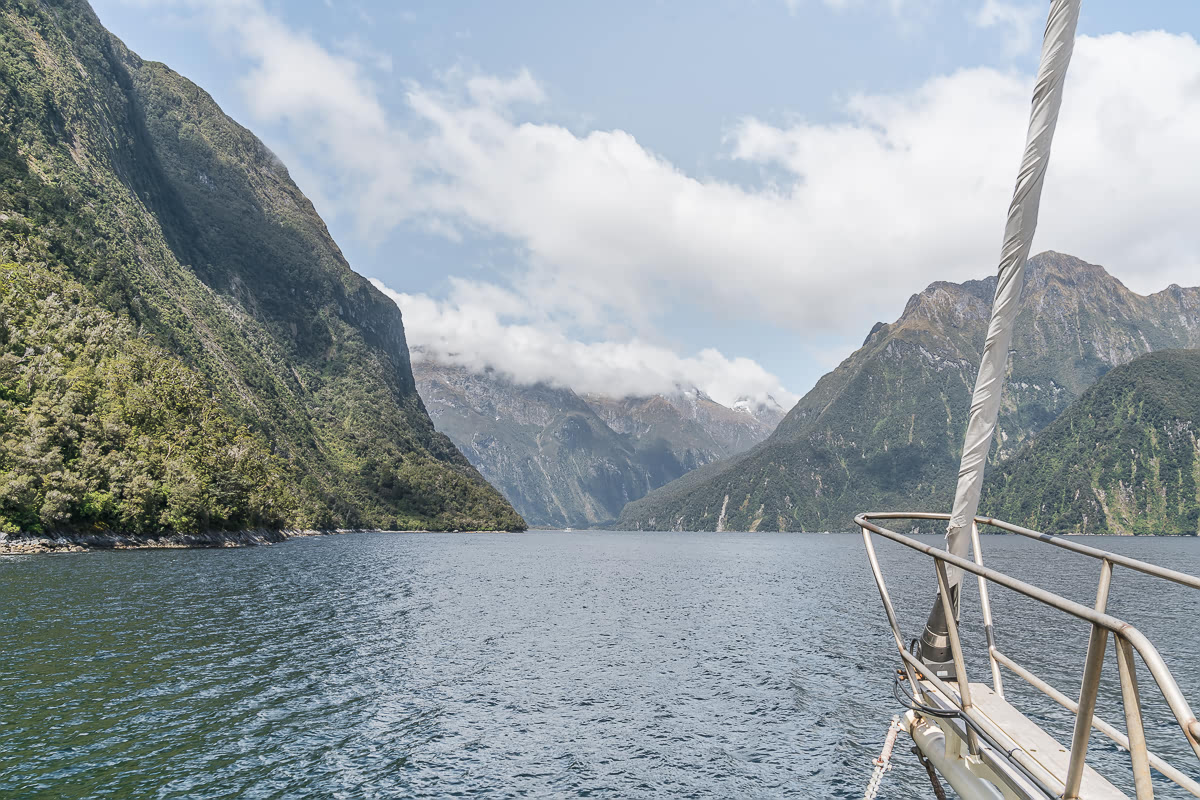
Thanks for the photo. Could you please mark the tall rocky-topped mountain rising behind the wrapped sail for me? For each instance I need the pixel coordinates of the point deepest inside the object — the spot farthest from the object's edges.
(885, 429)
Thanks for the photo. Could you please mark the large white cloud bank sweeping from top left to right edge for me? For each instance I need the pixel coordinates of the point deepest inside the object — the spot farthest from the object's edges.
(907, 189)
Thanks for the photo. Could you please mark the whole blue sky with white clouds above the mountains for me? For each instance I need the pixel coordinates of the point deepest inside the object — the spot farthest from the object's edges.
(632, 196)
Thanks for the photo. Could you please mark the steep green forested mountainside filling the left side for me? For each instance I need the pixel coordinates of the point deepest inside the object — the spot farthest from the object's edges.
(183, 346)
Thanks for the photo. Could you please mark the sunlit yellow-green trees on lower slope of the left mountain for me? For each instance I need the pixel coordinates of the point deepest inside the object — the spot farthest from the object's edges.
(101, 429)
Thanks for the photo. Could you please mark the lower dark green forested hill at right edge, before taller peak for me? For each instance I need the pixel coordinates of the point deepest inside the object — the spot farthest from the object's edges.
(1124, 459)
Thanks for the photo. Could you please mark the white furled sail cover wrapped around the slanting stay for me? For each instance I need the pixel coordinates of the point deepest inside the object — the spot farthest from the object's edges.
(1023, 220)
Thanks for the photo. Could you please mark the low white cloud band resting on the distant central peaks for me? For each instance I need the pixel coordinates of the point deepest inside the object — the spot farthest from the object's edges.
(479, 327)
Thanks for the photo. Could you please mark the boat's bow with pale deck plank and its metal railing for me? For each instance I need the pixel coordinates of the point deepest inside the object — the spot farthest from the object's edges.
(1018, 754)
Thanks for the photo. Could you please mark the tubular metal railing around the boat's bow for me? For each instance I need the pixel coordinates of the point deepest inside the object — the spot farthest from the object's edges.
(1126, 637)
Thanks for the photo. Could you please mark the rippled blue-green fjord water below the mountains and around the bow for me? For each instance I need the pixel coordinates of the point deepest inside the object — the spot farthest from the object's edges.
(615, 665)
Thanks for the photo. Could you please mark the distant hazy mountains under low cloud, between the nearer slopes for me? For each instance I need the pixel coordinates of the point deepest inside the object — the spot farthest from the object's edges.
(571, 461)
